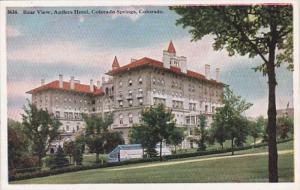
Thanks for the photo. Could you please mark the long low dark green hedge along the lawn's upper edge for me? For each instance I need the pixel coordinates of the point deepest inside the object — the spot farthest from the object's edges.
(22, 176)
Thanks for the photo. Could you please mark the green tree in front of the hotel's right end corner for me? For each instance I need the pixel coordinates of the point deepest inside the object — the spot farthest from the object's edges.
(228, 122)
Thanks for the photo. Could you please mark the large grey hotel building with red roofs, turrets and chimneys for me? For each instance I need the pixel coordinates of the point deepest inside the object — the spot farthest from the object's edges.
(131, 88)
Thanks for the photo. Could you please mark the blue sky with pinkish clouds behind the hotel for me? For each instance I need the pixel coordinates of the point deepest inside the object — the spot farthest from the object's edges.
(84, 45)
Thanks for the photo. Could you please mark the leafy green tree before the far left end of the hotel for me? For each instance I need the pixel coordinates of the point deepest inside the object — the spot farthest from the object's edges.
(41, 128)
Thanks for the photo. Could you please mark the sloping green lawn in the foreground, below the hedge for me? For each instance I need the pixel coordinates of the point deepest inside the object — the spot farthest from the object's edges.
(239, 169)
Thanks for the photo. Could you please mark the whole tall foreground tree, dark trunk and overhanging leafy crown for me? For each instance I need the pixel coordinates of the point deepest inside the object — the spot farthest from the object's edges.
(254, 30)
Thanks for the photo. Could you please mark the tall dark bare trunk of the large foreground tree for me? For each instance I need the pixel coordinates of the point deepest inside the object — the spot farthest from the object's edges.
(273, 157)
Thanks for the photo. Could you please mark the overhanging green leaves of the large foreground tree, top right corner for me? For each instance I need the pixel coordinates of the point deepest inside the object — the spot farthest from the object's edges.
(244, 30)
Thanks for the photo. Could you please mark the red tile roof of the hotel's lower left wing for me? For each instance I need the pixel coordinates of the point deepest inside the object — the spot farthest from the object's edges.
(82, 88)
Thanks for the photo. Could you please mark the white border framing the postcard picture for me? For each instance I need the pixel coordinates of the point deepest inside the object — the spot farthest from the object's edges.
(3, 128)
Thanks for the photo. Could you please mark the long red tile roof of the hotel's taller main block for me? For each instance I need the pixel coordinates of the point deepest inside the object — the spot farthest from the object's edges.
(144, 62)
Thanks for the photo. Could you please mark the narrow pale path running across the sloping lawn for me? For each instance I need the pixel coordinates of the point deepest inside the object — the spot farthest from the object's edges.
(198, 160)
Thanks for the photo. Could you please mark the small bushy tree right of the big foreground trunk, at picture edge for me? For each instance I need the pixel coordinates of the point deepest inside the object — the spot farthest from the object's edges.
(285, 125)
